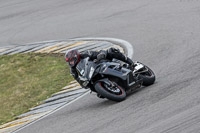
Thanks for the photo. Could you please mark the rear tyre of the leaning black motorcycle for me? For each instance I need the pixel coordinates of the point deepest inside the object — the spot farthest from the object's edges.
(148, 77)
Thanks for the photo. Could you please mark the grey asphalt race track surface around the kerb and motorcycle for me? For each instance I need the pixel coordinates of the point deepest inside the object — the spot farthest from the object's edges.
(166, 37)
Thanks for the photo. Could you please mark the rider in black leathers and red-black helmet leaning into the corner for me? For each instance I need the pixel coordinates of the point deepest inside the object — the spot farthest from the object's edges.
(73, 57)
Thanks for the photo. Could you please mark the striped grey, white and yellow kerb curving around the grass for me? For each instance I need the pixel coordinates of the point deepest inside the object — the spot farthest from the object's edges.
(68, 94)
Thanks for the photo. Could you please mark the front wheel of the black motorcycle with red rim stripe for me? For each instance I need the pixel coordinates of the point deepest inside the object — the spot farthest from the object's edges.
(114, 92)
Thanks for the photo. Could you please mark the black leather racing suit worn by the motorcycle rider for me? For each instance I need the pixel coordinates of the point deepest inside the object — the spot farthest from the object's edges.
(108, 54)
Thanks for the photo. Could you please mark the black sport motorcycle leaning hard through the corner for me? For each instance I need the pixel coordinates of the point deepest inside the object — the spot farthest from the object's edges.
(112, 79)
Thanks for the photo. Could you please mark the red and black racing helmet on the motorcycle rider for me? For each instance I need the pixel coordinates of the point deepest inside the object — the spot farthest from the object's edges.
(72, 57)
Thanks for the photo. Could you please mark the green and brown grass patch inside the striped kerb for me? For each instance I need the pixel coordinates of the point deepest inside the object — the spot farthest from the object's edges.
(27, 79)
